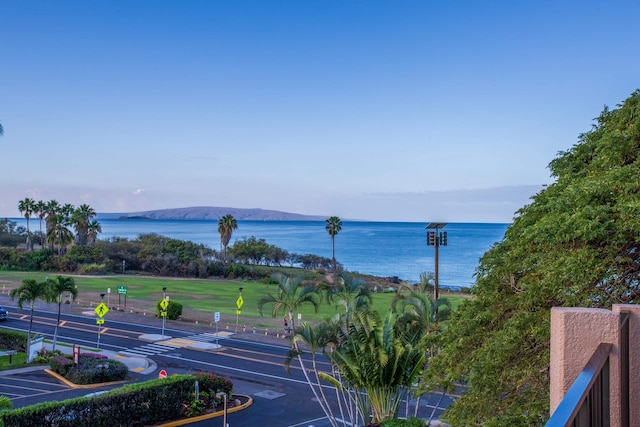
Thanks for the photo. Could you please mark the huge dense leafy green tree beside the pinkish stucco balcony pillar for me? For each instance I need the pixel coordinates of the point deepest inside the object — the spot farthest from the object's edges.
(575, 245)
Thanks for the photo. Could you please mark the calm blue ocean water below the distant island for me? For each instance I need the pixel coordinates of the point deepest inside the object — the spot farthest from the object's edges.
(377, 248)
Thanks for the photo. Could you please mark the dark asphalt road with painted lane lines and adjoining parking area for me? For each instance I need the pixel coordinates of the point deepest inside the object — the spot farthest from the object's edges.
(252, 362)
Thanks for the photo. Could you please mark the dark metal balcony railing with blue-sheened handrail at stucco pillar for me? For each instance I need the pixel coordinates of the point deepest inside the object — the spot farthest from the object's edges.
(587, 403)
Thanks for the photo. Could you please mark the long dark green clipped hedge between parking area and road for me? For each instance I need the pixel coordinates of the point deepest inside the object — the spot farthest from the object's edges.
(133, 405)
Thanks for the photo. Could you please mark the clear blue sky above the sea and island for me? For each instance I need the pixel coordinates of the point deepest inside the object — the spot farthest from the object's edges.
(379, 110)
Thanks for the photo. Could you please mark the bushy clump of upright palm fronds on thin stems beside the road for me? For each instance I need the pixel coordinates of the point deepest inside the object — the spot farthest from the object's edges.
(373, 365)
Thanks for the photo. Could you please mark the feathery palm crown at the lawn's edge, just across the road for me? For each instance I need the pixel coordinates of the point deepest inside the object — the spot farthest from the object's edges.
(291, 295)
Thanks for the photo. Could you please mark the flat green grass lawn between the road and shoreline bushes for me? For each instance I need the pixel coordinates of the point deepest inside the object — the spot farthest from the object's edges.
(206, 296)
